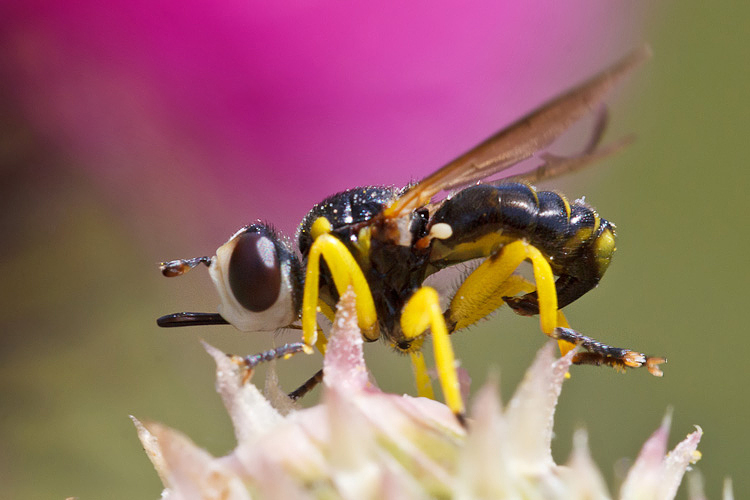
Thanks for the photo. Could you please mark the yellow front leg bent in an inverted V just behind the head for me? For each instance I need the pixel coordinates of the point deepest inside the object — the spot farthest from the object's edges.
(345, 272)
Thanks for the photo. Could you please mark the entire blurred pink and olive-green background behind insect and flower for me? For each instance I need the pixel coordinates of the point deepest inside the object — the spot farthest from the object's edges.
(135, 132)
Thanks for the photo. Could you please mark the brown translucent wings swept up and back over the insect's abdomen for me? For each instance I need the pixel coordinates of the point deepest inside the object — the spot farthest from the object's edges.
(523, 138)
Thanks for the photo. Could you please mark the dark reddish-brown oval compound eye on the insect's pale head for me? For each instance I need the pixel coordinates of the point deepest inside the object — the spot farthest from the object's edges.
(254, 272)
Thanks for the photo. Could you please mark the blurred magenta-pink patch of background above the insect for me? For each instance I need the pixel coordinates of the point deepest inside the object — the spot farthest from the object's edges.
(259, 109)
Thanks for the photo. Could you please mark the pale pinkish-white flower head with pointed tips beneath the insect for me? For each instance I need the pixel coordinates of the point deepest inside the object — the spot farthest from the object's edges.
(360, 442)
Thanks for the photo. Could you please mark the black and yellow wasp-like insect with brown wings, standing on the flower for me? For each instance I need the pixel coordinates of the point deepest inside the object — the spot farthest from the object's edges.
(384, 242)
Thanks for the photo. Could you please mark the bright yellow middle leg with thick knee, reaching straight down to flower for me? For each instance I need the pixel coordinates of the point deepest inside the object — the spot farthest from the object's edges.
(421, 312)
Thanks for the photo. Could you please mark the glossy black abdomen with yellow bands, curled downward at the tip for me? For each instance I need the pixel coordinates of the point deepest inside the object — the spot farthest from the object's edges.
(478, 221)
